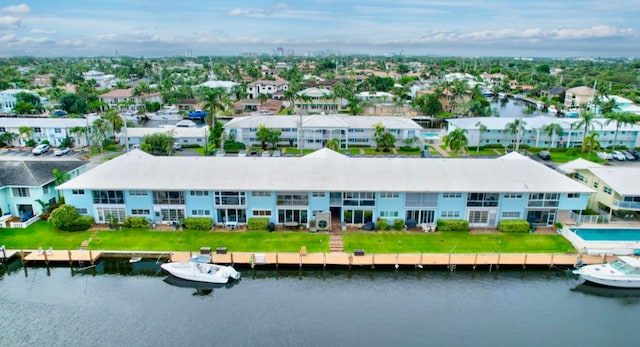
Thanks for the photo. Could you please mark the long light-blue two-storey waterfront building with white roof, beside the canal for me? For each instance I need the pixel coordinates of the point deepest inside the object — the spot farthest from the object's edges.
(353, 190)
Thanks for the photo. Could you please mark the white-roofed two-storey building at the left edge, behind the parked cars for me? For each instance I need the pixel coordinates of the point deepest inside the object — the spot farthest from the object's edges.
(54, 130)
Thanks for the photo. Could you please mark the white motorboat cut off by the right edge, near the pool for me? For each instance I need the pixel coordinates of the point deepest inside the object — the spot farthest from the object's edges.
(621, 273)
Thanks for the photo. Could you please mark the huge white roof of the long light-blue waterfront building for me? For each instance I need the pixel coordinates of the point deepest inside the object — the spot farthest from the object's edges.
(325, 170)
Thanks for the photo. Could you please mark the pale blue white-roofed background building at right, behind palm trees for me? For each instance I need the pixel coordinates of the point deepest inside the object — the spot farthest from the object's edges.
(535, 136)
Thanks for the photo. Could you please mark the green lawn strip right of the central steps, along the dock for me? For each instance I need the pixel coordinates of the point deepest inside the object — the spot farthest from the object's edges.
(455, 242)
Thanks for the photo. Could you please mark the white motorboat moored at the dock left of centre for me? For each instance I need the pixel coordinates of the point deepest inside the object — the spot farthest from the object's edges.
(201, 272)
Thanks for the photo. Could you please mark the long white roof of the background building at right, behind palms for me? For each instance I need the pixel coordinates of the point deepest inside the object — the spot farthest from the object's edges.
(539, 122)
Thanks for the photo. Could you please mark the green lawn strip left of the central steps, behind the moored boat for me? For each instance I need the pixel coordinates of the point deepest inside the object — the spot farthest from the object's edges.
(192, 240)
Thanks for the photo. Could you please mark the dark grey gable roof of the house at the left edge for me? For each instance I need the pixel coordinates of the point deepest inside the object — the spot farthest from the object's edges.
(33, 173)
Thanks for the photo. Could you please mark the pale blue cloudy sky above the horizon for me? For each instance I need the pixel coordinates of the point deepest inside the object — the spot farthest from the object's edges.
(153, 28)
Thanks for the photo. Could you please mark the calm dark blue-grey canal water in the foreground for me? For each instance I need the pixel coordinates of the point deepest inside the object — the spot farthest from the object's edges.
(133, 305)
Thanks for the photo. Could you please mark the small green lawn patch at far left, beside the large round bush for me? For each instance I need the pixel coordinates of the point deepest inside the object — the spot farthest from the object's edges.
(42, 234)
